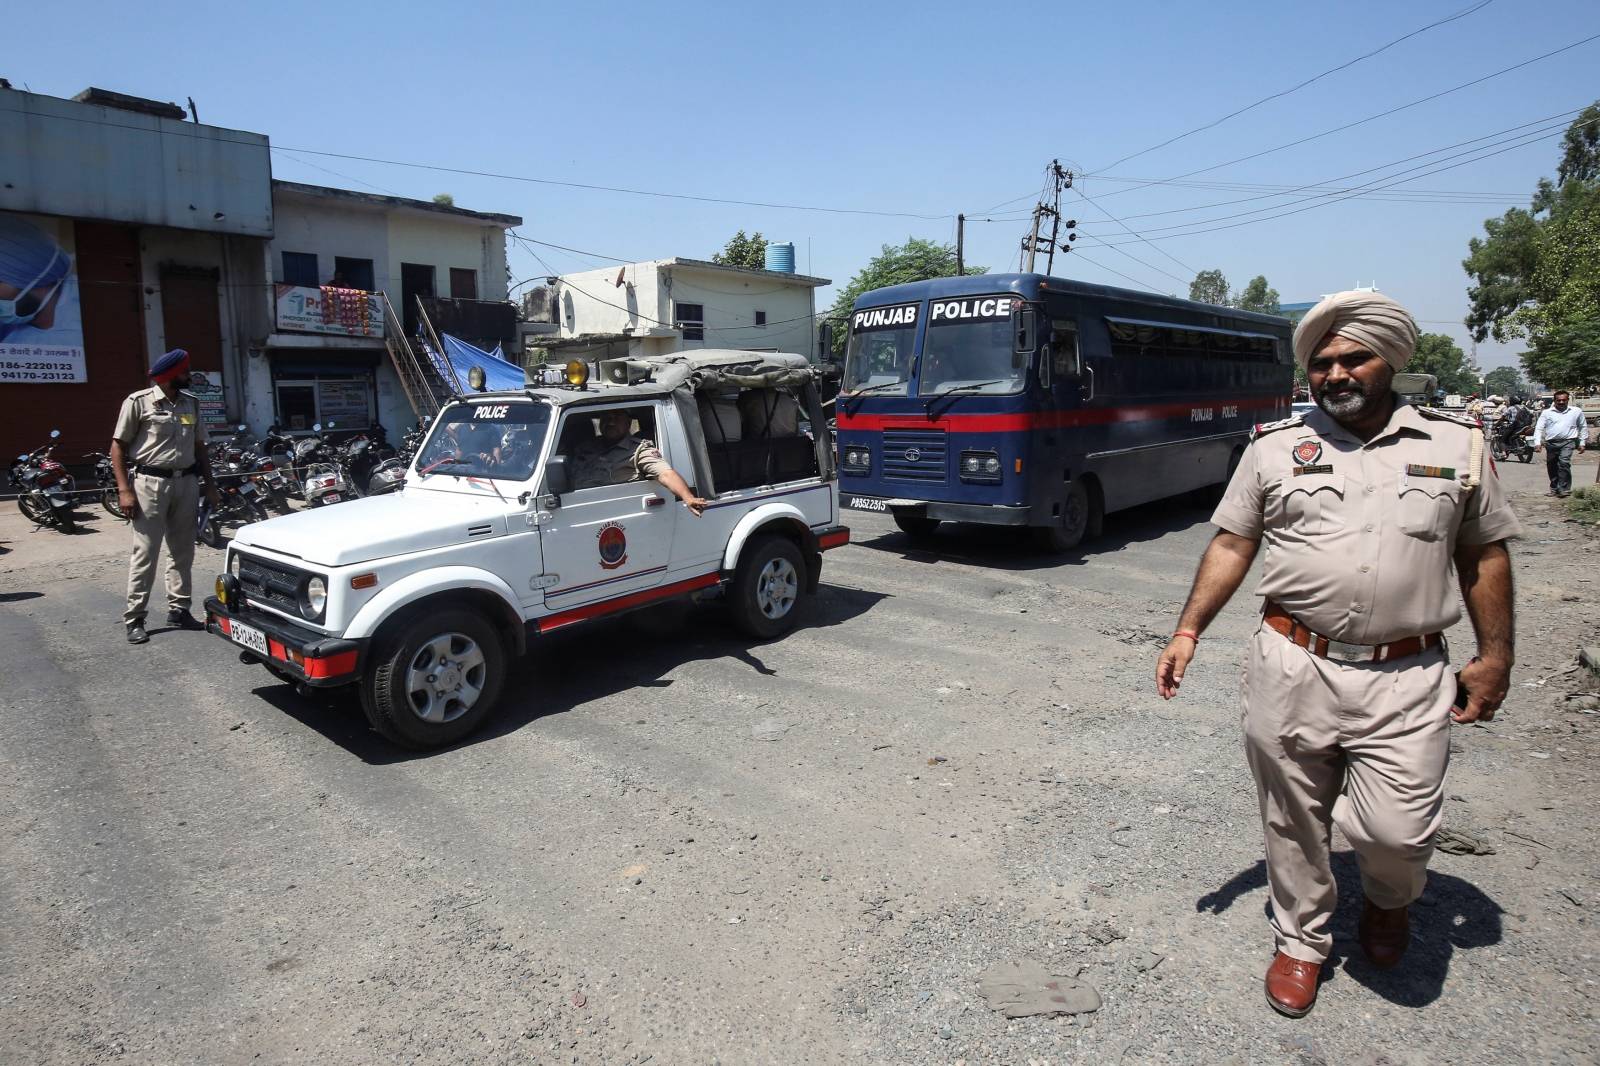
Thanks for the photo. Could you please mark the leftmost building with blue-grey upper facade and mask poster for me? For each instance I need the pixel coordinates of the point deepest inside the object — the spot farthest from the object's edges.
(124, 231)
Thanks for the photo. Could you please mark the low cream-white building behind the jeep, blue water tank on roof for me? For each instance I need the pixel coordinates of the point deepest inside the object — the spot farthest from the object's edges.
(670, 305)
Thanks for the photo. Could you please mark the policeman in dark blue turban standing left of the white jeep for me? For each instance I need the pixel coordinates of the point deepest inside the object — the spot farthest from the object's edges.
(158, 454)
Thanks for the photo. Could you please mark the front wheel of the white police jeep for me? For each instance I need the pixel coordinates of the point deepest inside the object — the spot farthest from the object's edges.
(434, 679)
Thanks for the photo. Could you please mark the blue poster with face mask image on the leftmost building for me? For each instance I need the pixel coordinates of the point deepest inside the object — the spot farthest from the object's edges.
(41, 323)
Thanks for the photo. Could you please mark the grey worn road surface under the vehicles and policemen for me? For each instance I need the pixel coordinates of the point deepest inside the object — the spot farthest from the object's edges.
(676, 848)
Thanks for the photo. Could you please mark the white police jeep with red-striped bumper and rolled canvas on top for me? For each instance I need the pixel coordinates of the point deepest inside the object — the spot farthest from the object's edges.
(425, 596)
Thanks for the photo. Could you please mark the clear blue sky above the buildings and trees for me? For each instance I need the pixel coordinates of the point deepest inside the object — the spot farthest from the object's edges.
(926, 110)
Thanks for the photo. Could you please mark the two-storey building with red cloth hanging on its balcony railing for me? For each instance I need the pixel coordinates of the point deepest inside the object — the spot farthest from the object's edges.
(329, 364)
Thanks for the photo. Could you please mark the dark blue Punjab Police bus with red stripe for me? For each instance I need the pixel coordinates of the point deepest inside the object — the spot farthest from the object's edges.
(1030, 401)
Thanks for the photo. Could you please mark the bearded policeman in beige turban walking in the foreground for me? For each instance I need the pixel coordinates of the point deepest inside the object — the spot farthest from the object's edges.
(1370, 511)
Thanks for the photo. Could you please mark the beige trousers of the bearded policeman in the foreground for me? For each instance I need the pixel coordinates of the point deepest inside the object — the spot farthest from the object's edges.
(1362, 747)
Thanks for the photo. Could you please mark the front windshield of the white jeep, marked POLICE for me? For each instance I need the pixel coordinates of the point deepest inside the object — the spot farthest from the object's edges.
(492, 439)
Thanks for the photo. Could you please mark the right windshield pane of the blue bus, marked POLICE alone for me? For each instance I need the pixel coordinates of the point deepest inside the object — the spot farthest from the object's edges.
(970, 348)
